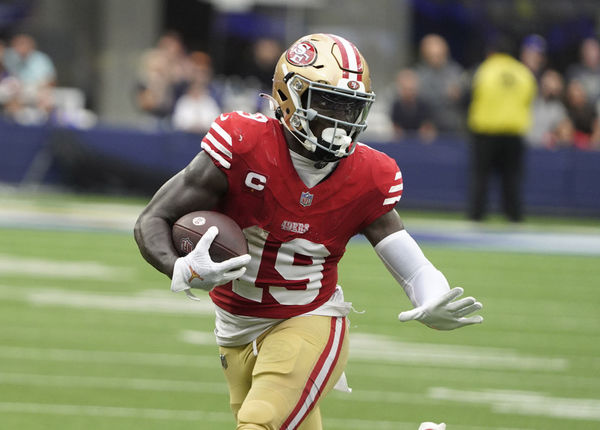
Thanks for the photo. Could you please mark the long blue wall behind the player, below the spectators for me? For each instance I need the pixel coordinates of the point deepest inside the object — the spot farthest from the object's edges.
(126, 161)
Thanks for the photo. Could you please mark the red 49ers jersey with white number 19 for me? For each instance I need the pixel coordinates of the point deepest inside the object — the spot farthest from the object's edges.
(296, 235)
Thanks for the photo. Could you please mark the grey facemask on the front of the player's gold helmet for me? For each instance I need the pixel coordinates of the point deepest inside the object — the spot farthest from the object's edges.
(327, 119)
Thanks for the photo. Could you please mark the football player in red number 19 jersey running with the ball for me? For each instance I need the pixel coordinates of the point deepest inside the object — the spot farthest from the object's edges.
(300, 186)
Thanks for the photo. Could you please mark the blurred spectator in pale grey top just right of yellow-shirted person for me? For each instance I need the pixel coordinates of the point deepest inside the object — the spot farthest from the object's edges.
(551, 126)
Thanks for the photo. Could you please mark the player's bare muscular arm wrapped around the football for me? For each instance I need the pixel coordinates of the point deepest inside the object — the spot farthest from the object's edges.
(197, 187)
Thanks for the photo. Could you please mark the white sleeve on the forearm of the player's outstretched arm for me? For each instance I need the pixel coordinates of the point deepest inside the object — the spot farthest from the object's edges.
(406, 262)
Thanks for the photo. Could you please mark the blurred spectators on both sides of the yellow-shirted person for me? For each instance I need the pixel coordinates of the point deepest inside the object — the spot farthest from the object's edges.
(432, 97)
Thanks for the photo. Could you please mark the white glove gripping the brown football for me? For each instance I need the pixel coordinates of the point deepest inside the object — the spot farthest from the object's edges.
(197, 270)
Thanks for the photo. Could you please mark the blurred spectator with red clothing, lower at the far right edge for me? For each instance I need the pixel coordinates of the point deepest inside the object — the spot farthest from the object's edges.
(584, 116)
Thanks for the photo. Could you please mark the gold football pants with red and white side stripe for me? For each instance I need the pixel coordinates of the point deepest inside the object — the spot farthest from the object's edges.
(277, 383)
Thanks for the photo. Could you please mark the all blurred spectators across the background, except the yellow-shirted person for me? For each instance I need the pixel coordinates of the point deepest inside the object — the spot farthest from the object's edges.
(178, 90)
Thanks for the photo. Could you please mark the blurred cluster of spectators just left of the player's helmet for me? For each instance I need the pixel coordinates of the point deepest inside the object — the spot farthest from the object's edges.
(179, 90)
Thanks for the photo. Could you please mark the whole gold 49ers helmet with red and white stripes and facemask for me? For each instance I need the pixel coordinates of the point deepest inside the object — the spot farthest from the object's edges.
(323, 91)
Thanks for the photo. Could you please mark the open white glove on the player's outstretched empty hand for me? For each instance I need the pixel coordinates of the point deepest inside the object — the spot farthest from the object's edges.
(444, 314)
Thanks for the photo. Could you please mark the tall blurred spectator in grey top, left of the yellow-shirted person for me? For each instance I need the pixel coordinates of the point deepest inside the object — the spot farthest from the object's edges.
(441, 84)
